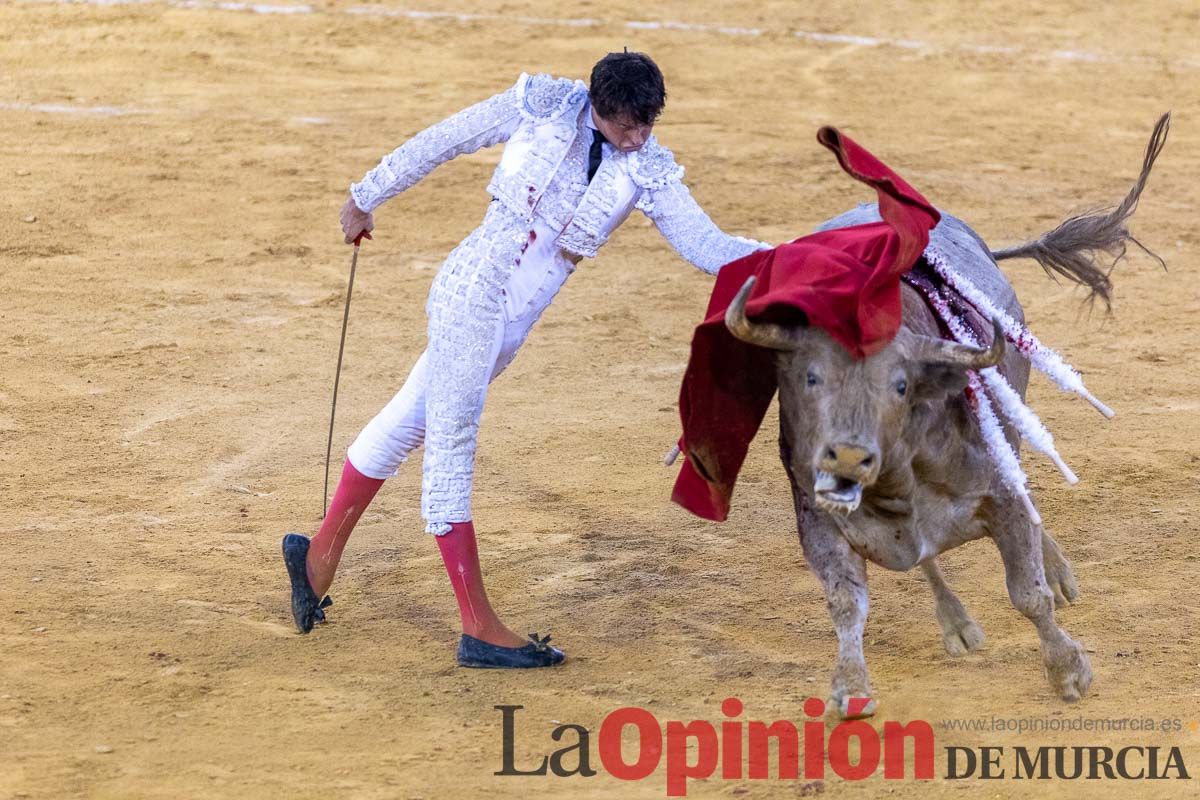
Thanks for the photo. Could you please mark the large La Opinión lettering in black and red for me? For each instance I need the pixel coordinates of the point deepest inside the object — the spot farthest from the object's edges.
(734, 748)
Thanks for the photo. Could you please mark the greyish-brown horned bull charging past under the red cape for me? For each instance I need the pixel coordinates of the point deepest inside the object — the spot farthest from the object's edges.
(887, 462)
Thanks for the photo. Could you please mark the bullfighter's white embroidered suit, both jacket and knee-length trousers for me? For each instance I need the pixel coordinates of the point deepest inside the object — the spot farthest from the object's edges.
(544, 218)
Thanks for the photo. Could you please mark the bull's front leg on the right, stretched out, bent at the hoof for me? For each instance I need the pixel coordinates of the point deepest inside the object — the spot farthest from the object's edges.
(1021, 545)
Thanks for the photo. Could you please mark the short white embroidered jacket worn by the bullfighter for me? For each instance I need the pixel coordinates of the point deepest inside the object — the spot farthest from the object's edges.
(543, 173)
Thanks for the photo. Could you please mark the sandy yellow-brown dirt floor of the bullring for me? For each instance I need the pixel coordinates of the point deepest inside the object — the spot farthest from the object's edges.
(172, 278)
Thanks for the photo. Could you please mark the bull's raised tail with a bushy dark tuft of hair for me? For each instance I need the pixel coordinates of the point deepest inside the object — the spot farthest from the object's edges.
(1071, 250)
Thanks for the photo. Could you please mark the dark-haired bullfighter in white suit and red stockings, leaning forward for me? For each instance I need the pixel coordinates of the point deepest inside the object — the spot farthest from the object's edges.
(579, 159)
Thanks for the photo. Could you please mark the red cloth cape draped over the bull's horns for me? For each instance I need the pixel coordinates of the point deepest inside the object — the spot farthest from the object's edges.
(845, 281)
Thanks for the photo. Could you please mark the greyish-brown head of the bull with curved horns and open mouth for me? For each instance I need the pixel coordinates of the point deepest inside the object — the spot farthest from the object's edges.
(851, 420)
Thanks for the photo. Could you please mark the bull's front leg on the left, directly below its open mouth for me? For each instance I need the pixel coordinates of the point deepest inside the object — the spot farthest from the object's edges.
(843, 573)
